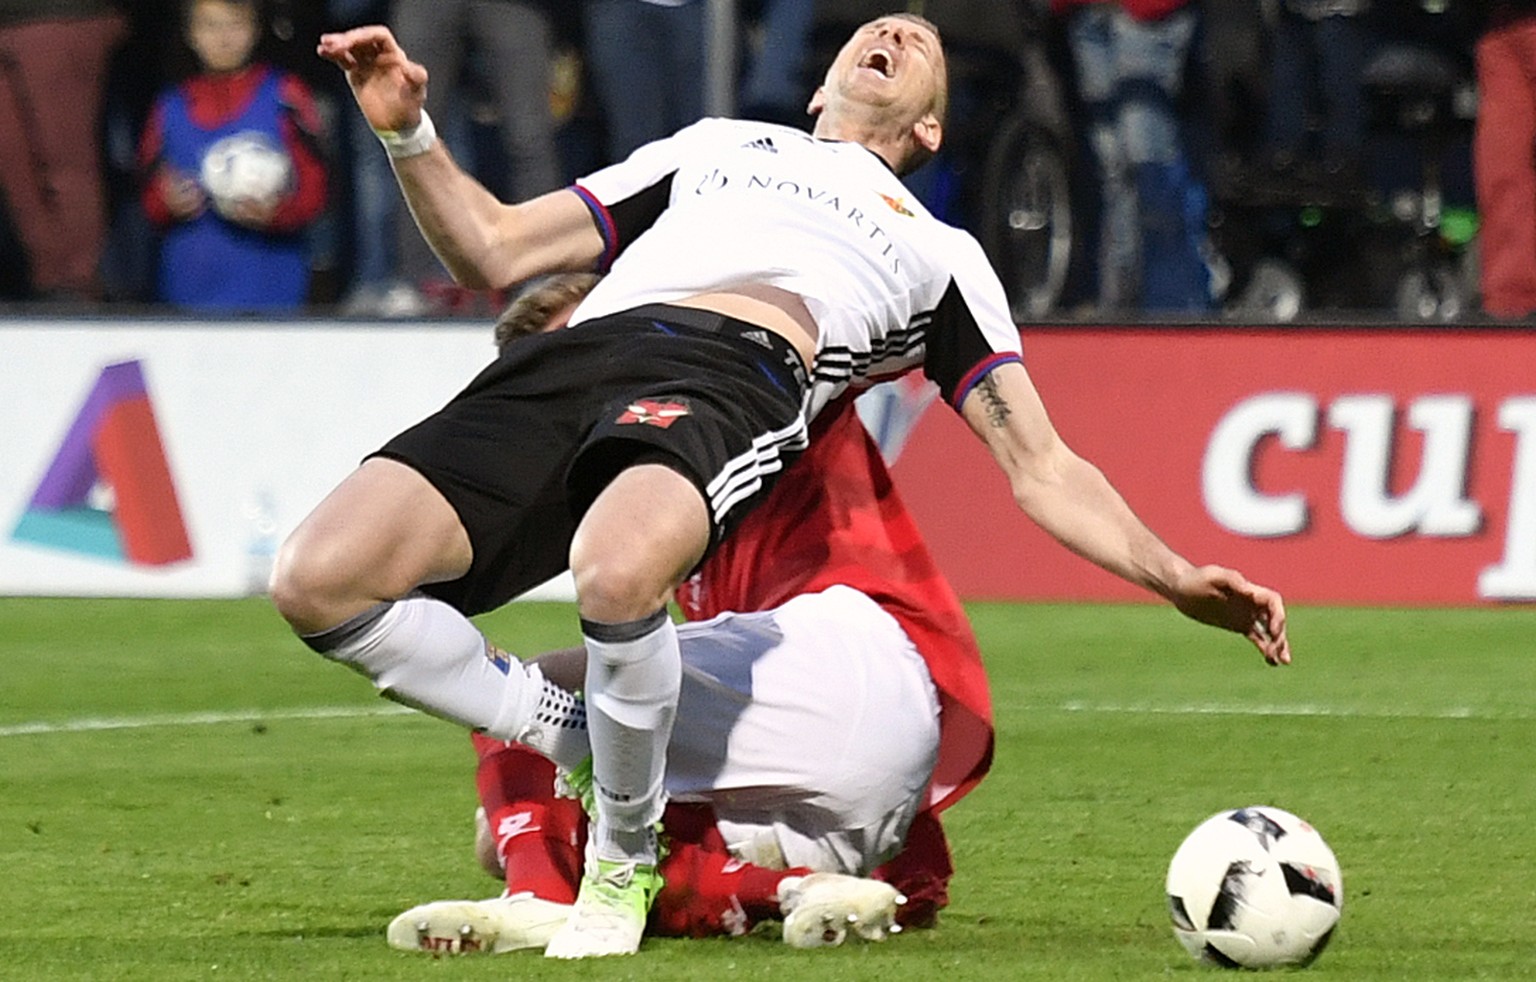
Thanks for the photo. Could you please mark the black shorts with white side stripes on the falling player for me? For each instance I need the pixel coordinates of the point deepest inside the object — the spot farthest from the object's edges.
(526, 448)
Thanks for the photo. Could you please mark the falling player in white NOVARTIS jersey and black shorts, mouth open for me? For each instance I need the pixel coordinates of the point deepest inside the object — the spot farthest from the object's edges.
(753, 273)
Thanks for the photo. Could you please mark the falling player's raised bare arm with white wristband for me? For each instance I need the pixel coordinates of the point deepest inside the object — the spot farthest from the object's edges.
(480, 239)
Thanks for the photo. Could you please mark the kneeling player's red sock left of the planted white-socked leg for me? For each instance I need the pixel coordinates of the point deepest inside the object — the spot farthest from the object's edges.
(538, 835)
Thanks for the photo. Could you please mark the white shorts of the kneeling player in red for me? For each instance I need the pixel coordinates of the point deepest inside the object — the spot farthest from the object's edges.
(812, 729)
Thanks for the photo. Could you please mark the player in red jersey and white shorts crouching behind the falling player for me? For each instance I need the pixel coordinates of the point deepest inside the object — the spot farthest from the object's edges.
(770, 780)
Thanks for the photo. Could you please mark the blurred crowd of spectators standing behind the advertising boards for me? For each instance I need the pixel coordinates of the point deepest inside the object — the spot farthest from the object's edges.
(1266, 161)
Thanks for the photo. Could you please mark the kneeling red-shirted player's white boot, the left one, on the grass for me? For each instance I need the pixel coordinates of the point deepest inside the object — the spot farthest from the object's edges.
(468, 927)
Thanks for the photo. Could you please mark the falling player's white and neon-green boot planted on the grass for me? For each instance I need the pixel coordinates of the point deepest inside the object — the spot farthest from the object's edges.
(611, 911)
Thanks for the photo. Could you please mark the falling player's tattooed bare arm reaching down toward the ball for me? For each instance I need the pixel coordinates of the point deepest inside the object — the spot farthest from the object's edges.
(1074, 502)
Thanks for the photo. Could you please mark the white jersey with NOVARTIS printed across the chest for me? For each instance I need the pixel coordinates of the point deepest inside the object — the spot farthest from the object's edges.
(727, 204)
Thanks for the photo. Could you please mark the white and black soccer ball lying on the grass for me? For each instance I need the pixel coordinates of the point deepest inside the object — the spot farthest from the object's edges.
(1254, 889)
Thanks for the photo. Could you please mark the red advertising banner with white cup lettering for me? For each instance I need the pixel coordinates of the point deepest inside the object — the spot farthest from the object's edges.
(1356, 466)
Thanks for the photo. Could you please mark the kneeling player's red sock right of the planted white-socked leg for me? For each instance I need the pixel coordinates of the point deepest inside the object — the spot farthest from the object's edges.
(709, 892)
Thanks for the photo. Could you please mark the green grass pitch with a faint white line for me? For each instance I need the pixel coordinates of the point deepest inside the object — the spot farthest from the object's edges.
(188, 794)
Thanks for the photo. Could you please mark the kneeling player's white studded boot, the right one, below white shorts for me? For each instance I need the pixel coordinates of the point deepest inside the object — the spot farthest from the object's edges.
(824, 907)
